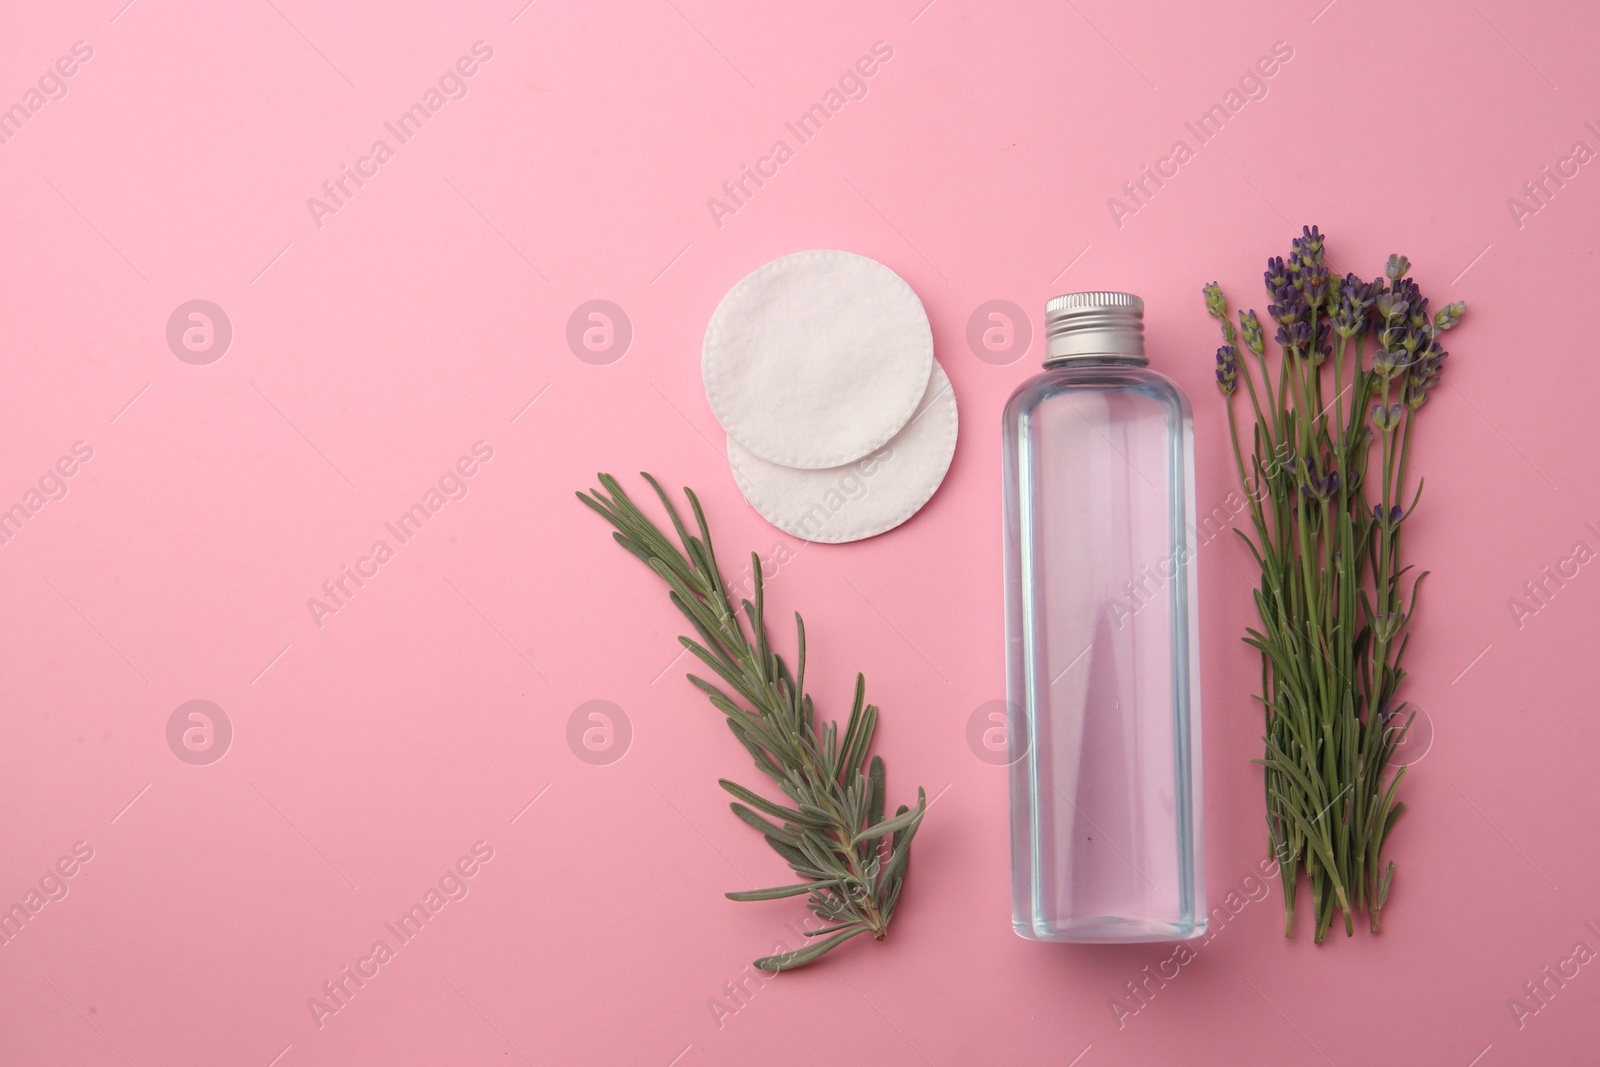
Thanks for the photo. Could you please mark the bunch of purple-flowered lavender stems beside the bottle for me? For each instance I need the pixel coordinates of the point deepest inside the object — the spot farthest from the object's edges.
(1334, 602)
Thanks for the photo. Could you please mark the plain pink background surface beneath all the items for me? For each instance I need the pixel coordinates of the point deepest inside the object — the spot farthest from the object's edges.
(370, 353)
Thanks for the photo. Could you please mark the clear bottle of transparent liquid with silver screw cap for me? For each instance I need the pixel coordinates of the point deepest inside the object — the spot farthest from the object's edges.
(1103, 666)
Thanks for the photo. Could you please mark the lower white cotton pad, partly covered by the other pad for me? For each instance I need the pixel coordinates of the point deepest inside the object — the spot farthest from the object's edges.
(863, 498)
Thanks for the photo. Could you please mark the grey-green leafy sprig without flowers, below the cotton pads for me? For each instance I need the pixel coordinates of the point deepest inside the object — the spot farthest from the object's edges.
(850, 860)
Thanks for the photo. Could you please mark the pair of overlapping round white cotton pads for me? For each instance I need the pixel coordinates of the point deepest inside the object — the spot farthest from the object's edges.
(841, 423)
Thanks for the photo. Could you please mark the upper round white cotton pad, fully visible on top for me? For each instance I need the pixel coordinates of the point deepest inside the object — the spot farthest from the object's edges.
(817, 359)
